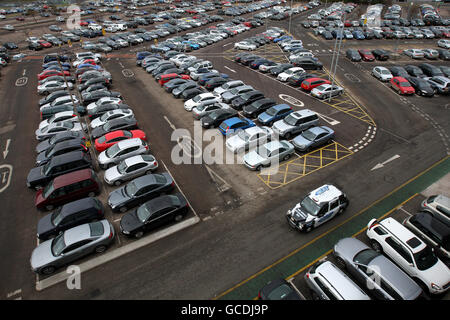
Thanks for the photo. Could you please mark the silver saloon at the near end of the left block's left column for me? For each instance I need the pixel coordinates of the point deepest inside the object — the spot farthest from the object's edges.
(71, 245)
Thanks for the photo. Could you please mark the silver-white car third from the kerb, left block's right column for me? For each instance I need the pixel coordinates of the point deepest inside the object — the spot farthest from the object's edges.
(130, 168)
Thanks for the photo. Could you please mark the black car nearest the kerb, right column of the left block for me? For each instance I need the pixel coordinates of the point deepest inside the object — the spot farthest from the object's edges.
(153, 214)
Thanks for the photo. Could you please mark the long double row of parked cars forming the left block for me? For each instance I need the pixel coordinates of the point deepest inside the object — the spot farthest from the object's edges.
(65, 177)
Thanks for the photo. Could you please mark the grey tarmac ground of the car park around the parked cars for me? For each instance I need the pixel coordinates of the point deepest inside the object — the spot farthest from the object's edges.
(235, 229)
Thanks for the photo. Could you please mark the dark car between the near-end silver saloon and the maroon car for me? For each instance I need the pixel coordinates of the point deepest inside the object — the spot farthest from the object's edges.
(70, 215)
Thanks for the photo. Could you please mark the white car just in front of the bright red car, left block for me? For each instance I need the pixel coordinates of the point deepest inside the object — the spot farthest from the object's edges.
(120, 151)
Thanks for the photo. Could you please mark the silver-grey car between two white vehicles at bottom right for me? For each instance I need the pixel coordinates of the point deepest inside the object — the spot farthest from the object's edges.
(377, 273)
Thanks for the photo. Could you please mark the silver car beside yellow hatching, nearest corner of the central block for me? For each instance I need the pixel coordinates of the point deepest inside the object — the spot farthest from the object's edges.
(268, 154)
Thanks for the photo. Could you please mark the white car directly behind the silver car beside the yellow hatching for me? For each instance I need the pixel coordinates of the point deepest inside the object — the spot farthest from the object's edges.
(249, 138)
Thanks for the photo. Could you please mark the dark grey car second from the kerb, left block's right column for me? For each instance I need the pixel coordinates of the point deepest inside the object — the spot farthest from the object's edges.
(140, 190)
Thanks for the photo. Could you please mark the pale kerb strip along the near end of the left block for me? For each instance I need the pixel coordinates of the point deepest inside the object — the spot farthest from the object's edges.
(113, 254)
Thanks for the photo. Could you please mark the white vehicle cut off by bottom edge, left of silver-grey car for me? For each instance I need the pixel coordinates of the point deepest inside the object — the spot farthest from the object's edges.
(328, 282)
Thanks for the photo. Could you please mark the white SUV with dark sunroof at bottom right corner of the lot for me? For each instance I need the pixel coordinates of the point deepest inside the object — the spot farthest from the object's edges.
(410, 253)
